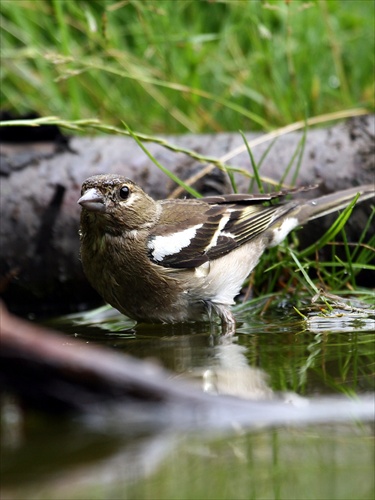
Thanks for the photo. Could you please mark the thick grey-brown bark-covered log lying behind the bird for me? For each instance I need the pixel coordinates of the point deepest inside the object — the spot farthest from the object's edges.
(39, 255)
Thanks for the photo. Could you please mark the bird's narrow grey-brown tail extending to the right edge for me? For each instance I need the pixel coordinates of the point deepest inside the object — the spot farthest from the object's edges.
(324, 205)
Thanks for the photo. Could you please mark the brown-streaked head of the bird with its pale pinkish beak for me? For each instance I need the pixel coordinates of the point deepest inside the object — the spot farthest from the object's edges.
(116, 202)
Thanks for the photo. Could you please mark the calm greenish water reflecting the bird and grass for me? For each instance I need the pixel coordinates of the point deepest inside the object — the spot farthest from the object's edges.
(280, 356)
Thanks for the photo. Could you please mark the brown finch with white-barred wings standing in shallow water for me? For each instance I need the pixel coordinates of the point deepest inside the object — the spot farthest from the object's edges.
(184, 260)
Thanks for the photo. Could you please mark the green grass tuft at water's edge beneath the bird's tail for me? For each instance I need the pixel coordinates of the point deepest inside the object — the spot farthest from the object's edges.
(295, 271)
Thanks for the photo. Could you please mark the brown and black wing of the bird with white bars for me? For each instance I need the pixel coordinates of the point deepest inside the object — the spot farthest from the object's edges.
(201, 231)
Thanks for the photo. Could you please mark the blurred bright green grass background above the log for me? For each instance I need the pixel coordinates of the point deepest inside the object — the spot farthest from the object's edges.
(175, 66)
